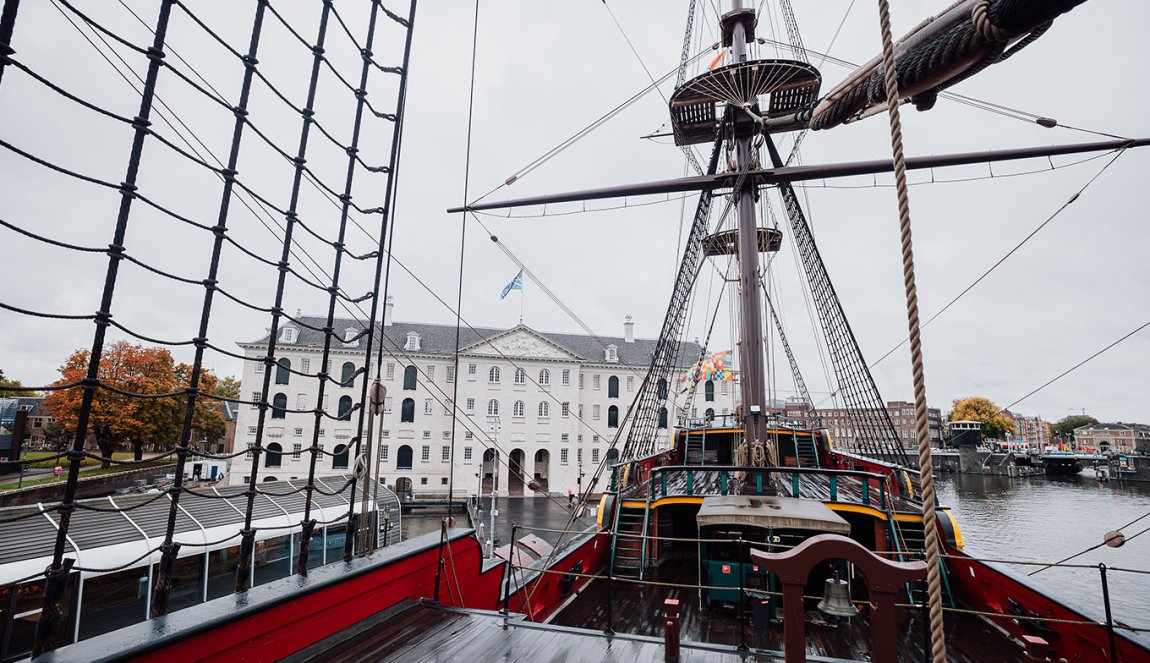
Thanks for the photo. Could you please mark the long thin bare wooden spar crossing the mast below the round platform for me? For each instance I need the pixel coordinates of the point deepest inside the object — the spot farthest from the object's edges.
(807, 174)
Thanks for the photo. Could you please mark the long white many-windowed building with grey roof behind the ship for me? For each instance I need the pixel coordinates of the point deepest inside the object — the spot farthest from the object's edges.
(549, 405)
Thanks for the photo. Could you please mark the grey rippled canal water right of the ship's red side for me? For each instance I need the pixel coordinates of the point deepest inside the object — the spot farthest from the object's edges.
(1048, 519)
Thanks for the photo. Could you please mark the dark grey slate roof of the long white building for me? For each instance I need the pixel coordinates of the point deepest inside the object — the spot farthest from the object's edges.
(439, 340)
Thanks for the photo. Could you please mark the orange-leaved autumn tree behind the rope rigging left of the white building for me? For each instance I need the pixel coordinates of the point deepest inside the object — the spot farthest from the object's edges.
(118, 420)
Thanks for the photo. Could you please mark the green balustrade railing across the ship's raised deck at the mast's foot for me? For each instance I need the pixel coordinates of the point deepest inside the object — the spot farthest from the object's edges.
(840, 487)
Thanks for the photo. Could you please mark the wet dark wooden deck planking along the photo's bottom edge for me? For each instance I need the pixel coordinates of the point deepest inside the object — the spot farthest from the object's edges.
(430, 634)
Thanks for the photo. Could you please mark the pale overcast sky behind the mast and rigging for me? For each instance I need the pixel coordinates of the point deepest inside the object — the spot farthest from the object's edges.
(546, 72)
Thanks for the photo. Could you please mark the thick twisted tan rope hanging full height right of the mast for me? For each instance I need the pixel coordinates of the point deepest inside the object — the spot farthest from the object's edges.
(926, 474)
